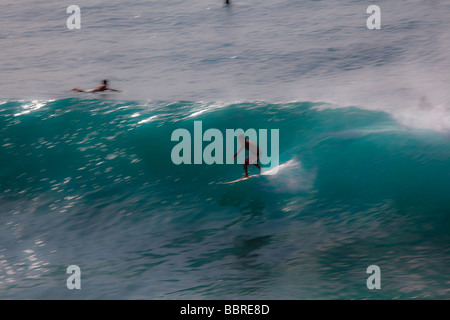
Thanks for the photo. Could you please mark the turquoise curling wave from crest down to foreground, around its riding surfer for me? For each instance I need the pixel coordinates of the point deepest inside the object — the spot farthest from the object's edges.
(94, 182)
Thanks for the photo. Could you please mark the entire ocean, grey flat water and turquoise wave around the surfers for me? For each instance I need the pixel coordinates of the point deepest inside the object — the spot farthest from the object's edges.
(88, 180)
